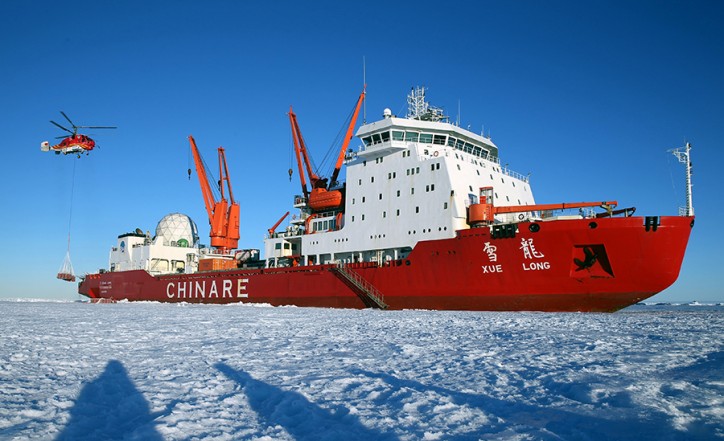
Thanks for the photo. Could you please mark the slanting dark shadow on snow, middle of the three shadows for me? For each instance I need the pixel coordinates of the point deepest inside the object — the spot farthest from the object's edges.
(301, 418)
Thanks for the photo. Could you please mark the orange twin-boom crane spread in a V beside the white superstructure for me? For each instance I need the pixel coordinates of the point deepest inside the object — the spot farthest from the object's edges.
(321, 197)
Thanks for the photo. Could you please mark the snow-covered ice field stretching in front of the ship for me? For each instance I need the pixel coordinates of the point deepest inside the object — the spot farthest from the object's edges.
(152, 371)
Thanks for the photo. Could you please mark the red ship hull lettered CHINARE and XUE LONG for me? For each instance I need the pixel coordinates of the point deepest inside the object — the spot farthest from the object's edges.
(564, 265)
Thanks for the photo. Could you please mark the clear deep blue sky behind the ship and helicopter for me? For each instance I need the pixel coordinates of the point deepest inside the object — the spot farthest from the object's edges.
(586, 96)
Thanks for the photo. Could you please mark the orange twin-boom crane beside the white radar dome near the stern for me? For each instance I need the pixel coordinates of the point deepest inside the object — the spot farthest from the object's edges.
(223, 214)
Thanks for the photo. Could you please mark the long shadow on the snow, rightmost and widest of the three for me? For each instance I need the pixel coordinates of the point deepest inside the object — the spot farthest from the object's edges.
(547, 422)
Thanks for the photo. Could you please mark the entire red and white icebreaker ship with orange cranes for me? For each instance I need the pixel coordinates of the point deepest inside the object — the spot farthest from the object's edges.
(426, 218)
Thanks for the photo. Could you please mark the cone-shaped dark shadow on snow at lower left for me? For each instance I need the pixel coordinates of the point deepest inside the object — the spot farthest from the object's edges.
(110, 408)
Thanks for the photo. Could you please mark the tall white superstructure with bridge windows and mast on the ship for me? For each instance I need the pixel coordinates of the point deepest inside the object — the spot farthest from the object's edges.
(411, 180)
